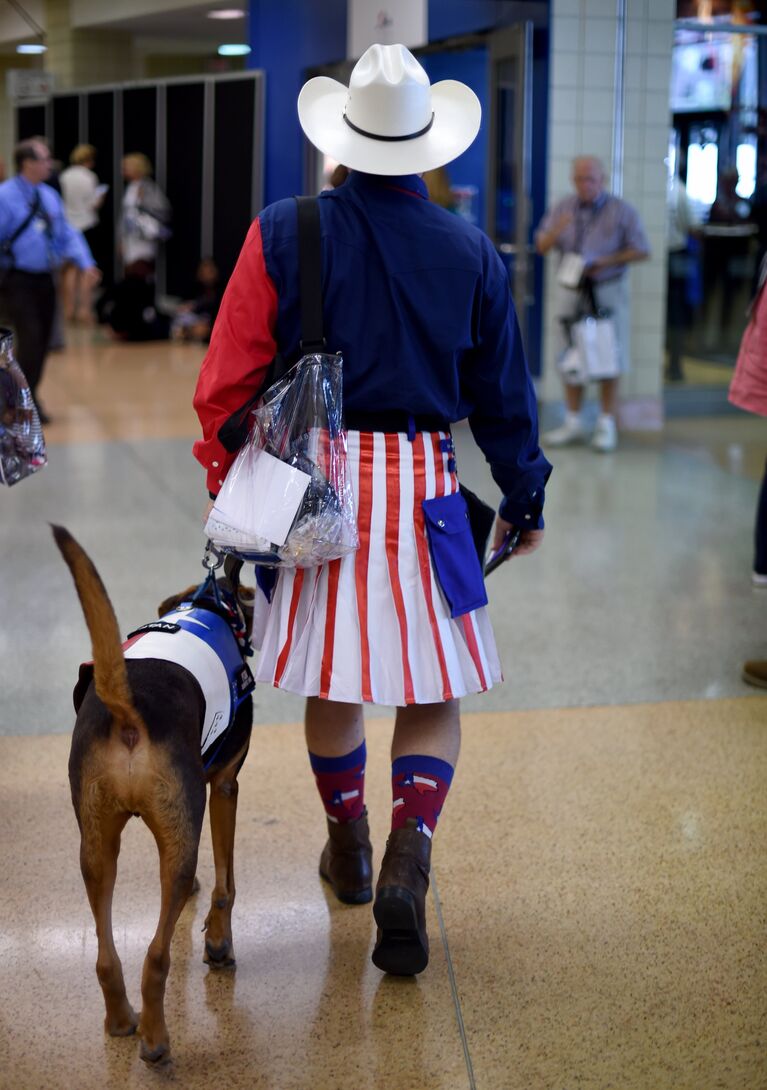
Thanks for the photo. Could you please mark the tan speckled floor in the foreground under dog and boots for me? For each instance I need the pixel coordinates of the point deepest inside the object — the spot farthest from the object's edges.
(598, 921)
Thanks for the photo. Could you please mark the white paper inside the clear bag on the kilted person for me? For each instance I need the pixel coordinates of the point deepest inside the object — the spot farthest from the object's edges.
(265, 504)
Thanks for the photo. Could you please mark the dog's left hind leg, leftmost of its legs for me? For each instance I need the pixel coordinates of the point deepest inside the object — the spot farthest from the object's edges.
(99, 861)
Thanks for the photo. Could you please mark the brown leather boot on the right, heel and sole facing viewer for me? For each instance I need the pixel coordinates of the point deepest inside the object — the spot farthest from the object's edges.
(403, 946)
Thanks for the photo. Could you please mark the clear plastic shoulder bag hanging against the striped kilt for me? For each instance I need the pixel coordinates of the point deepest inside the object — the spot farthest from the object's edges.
(288, 501)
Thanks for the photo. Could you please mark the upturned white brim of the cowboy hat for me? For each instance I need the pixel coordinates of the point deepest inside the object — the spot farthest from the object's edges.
(457, 120)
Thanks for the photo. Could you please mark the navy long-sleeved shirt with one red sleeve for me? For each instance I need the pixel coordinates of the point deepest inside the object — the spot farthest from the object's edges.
(419, 304)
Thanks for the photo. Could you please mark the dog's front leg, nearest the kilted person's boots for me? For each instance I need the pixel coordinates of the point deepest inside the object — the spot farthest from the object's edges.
(220, 953)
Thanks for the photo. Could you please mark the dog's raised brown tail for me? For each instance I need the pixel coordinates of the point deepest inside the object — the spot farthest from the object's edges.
(111, 675)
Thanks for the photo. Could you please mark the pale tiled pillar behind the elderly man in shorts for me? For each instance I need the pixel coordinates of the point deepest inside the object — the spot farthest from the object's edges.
(582, 108)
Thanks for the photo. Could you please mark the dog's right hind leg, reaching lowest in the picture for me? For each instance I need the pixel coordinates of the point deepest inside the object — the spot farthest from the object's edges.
(177, 827)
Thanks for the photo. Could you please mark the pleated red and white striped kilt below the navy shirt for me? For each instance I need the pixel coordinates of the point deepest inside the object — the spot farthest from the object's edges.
(374, 627)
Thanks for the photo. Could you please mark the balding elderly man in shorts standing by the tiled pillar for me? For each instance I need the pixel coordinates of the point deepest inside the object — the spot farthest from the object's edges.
(606, 234)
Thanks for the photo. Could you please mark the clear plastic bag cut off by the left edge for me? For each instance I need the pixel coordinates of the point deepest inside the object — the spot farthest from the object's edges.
(22, 444)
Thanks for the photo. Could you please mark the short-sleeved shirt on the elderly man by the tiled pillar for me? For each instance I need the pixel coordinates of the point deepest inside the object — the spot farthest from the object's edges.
(599, 229)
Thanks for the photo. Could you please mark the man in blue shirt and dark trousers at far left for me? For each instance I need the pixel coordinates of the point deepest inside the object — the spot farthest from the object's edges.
(35, 238)
